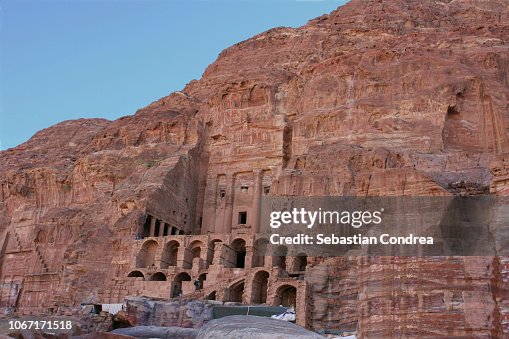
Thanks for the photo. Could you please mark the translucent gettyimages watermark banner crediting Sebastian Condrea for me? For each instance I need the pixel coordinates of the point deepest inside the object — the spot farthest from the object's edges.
(395, 226)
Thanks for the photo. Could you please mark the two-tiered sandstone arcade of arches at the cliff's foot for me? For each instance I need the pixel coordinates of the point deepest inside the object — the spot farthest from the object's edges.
(224, 268)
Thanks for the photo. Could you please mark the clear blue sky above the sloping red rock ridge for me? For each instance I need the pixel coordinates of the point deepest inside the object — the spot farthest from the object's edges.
(69, 59)
